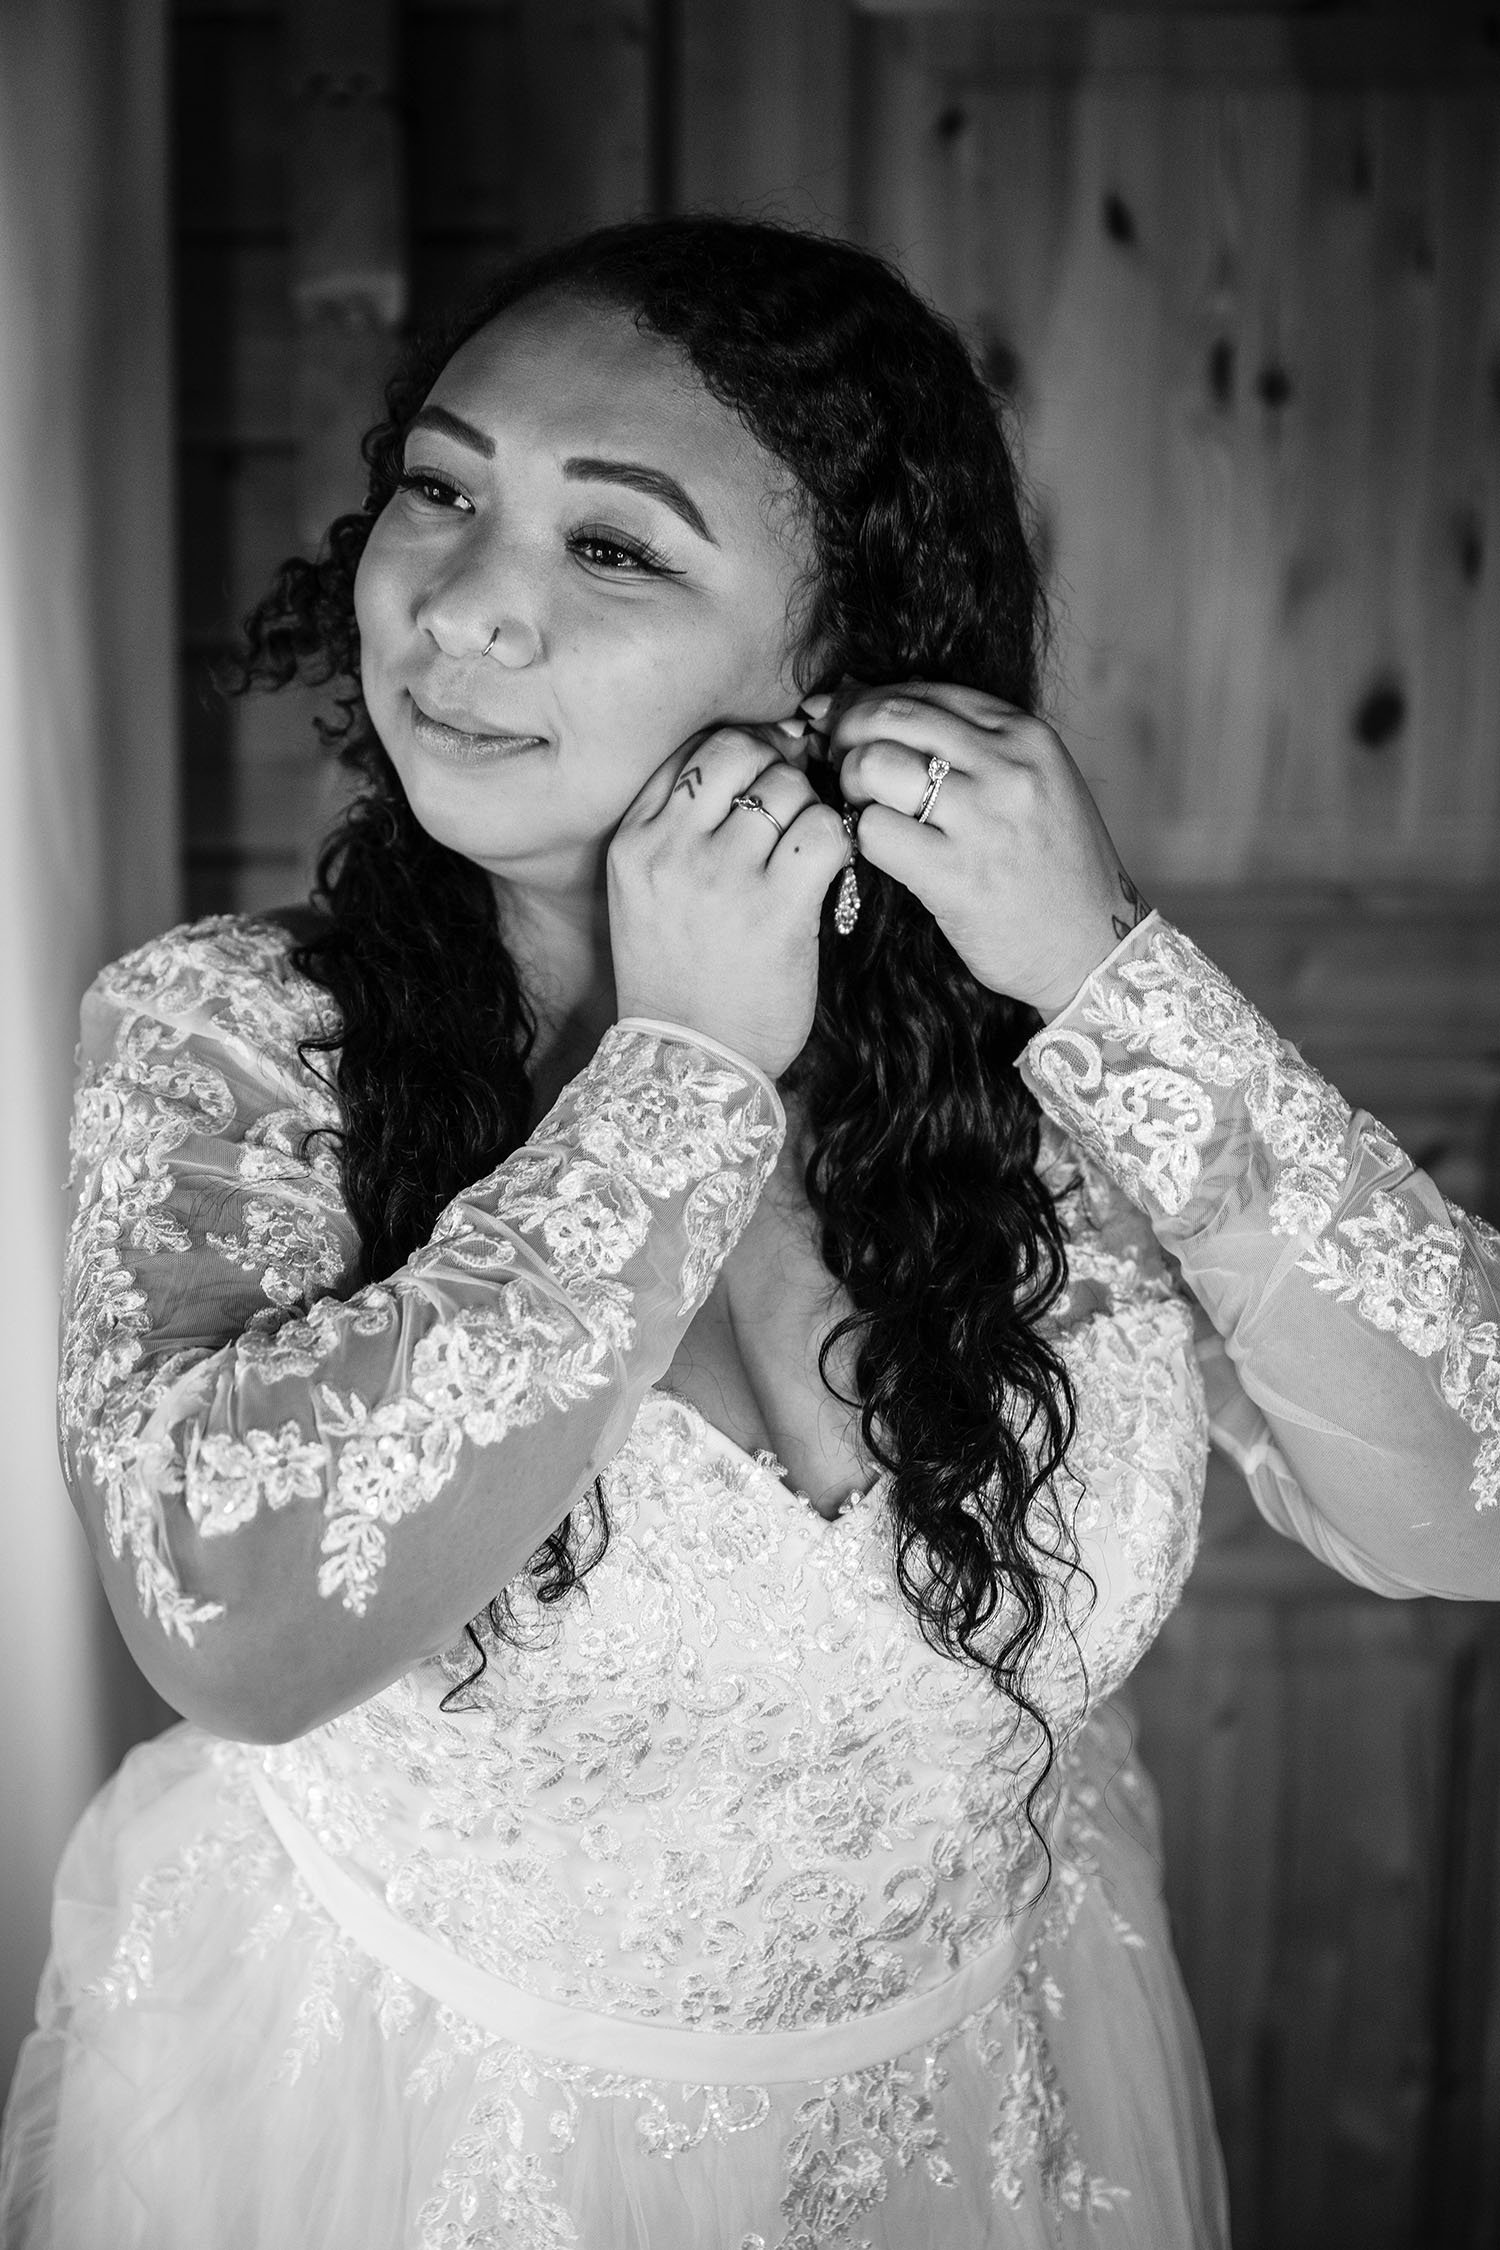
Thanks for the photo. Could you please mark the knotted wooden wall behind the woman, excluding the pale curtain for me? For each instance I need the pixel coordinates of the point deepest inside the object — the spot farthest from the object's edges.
(1240, 276)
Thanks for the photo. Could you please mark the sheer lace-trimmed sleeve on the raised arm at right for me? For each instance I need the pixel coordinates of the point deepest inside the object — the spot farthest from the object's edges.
(1348, 1311)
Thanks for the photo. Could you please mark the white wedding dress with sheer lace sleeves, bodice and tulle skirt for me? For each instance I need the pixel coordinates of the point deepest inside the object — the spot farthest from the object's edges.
(712, 1914)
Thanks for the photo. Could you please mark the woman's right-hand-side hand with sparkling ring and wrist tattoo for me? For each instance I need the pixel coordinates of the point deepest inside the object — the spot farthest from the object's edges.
(1013, 863)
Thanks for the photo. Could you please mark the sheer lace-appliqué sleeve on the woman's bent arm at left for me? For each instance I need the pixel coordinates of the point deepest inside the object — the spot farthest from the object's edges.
(228, 1387)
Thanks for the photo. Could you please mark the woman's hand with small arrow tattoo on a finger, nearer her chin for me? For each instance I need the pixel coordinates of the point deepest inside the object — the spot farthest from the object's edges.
(714, 919)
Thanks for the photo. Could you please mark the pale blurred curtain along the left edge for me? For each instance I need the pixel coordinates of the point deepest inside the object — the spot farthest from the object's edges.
(89, 820)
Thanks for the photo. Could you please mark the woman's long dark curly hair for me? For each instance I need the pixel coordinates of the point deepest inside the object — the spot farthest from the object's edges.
(923, 1137)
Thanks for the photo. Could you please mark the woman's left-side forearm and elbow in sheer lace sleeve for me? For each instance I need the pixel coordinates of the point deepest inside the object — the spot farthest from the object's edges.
(314, 1506)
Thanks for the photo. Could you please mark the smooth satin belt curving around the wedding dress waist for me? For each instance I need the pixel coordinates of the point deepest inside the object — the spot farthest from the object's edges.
(629, 2044)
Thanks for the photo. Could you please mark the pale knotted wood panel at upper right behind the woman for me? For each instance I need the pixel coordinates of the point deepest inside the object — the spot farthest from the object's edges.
(1247, 332)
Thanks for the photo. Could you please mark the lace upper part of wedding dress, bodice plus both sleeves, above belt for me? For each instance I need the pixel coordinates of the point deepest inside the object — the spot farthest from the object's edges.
(728, 1783)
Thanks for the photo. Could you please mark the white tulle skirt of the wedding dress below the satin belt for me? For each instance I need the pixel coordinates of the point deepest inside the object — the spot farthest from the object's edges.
(219, 2064)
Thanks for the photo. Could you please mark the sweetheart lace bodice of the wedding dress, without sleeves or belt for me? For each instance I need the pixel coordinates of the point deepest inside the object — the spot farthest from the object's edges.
(732, 1785)
